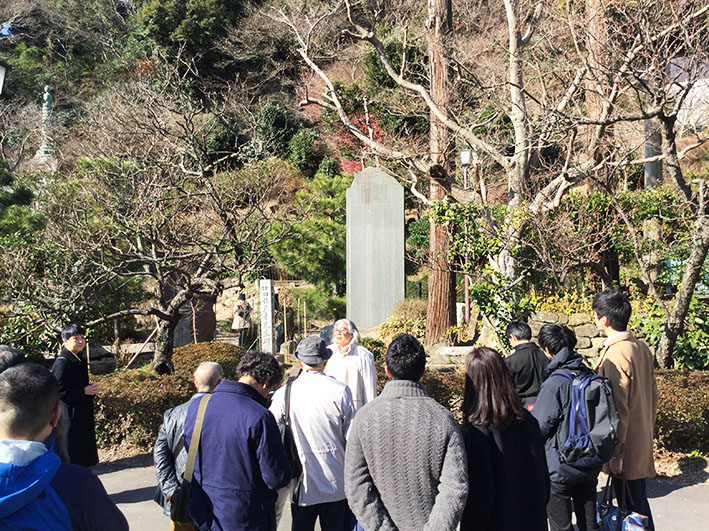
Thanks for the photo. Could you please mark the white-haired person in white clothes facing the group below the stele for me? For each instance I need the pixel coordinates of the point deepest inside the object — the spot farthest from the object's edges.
(352, 364)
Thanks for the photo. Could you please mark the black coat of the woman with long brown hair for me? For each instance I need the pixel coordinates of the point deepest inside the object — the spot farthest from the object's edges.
(508, 478)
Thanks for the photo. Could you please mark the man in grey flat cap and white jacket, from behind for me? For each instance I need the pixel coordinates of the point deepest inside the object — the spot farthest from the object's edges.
(320, 414)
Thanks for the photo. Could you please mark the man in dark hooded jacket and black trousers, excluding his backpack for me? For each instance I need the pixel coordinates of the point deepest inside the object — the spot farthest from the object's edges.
(553, 408)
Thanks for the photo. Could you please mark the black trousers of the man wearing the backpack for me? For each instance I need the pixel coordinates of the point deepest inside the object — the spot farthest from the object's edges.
(559, 509)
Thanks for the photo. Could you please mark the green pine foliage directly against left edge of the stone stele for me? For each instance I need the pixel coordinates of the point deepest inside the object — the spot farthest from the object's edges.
(316, 252)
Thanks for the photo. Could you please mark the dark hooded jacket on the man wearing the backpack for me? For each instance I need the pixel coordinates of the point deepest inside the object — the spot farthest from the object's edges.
(552, 412)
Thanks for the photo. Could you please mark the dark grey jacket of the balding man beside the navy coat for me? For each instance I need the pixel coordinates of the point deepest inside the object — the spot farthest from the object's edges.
(169, 453)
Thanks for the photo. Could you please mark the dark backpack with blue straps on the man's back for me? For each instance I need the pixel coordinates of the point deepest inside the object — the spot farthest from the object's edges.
(592, 424)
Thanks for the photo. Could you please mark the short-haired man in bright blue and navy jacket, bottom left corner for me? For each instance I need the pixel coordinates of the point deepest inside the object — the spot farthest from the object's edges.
(37, 490)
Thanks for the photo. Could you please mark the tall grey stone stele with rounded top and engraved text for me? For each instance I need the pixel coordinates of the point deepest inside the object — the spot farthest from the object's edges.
(375, 247)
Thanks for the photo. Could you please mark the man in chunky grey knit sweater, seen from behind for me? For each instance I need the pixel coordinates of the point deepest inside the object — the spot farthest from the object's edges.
(405, 463)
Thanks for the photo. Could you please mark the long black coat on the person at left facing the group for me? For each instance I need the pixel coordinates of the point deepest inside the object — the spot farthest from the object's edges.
(72, 374)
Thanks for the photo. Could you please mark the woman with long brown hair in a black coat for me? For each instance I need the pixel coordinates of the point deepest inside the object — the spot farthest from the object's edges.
(507, 471)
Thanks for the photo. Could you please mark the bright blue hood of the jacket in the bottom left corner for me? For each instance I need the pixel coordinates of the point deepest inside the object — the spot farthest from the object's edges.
(20, 485)
